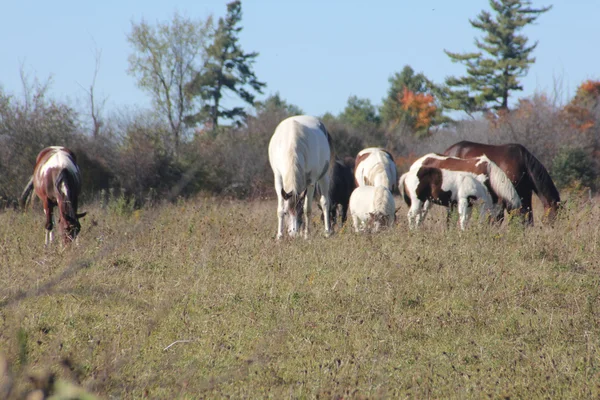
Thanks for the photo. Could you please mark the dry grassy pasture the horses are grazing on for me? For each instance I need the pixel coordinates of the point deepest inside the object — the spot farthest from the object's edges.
(198, 300)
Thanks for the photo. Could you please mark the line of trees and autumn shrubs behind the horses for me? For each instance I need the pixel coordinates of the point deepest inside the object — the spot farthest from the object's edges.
(187, 66)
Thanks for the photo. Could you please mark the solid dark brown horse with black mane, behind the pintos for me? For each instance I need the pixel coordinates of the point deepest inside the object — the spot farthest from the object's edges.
(527, 174)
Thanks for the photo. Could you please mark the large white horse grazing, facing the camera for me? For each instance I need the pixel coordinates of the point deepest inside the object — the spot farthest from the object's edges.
(301, 156)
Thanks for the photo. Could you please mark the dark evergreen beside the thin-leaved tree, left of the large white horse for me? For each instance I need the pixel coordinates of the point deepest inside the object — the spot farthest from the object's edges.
(227, 67)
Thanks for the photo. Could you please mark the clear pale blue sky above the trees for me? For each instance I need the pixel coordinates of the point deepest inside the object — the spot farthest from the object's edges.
(314, 53)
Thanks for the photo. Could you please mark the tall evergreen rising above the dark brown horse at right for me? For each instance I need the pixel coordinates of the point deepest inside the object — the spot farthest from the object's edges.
(505, 57)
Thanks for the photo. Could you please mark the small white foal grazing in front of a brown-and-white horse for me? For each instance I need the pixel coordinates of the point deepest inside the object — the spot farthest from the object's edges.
(372, 207)
